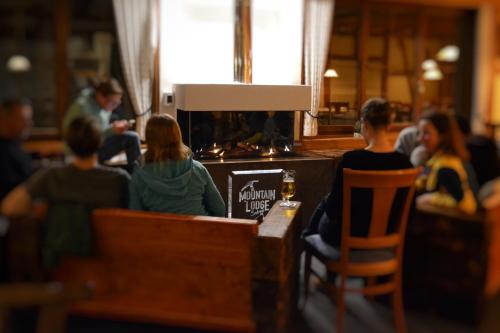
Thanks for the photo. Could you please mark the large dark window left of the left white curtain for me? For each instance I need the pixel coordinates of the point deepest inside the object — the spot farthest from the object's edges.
(60, 61)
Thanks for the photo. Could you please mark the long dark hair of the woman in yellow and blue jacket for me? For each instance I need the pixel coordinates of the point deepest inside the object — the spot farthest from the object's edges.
(451, 139)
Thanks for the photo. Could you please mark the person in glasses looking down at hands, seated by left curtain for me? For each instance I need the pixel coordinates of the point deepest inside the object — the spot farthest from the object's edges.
(98, 103)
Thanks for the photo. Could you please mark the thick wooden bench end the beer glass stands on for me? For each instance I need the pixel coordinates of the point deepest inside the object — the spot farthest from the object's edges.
(276, 269)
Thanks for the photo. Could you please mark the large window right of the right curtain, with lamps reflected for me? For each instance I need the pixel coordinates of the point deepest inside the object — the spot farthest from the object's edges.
(379, 50)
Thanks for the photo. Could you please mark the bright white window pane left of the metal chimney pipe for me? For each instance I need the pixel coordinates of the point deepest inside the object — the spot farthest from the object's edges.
(197, 42)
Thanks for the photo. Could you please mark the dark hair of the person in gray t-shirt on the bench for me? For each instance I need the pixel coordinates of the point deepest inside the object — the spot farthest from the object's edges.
(83, 136)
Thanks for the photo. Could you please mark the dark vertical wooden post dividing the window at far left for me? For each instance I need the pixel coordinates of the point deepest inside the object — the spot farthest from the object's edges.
(62, 29)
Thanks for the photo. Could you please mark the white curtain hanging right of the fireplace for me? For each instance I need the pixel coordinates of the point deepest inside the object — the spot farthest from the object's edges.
(318, 21)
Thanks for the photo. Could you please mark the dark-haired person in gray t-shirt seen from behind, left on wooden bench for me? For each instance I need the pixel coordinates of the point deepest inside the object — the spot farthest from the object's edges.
(71, 192)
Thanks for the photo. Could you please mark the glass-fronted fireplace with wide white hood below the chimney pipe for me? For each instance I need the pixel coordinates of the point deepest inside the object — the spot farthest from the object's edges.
(221, 121)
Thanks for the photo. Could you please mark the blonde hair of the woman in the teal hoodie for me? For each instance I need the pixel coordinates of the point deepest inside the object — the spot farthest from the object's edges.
(164, 140)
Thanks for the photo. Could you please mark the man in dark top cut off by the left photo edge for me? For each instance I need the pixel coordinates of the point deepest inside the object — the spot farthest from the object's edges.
(15, 123)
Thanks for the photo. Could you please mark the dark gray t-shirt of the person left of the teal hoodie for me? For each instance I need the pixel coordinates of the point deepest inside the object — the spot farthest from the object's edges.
(98, 187)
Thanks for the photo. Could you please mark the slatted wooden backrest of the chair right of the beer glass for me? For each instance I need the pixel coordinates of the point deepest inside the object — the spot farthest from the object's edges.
(384, 185)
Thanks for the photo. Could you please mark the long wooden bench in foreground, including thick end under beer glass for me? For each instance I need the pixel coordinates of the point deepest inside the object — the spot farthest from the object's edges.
(193, 271)
